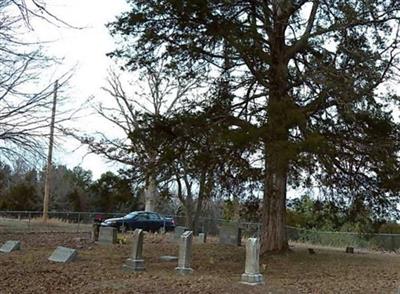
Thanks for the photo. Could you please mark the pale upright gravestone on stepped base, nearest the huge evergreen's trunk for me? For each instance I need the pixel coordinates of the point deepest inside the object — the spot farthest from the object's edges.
(252, 274)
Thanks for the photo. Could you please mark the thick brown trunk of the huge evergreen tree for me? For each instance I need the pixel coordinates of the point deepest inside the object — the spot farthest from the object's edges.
(278, 153)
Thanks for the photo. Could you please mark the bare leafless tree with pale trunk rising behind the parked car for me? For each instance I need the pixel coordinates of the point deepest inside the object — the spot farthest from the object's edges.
(161, 96)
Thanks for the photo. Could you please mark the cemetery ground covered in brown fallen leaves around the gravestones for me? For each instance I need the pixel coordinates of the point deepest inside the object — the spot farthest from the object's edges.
(217, 269)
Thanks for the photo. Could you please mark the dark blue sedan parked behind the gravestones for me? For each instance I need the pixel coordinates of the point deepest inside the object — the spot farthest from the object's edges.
(148, 221)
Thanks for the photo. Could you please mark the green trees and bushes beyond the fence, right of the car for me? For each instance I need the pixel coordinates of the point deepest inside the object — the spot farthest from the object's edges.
(321, 215)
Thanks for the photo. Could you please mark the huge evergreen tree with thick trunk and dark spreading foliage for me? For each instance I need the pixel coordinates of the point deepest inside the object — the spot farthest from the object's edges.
(314, 68)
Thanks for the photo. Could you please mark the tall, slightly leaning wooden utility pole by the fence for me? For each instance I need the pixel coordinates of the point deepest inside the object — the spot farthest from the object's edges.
(49, 158)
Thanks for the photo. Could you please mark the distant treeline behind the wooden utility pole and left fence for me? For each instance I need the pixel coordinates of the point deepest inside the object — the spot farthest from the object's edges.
(22, 188)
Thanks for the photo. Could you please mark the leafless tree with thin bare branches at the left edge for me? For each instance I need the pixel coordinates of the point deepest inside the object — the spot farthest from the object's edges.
(25, 100)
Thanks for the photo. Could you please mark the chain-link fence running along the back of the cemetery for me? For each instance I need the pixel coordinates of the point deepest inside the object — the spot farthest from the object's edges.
(31, 221)
